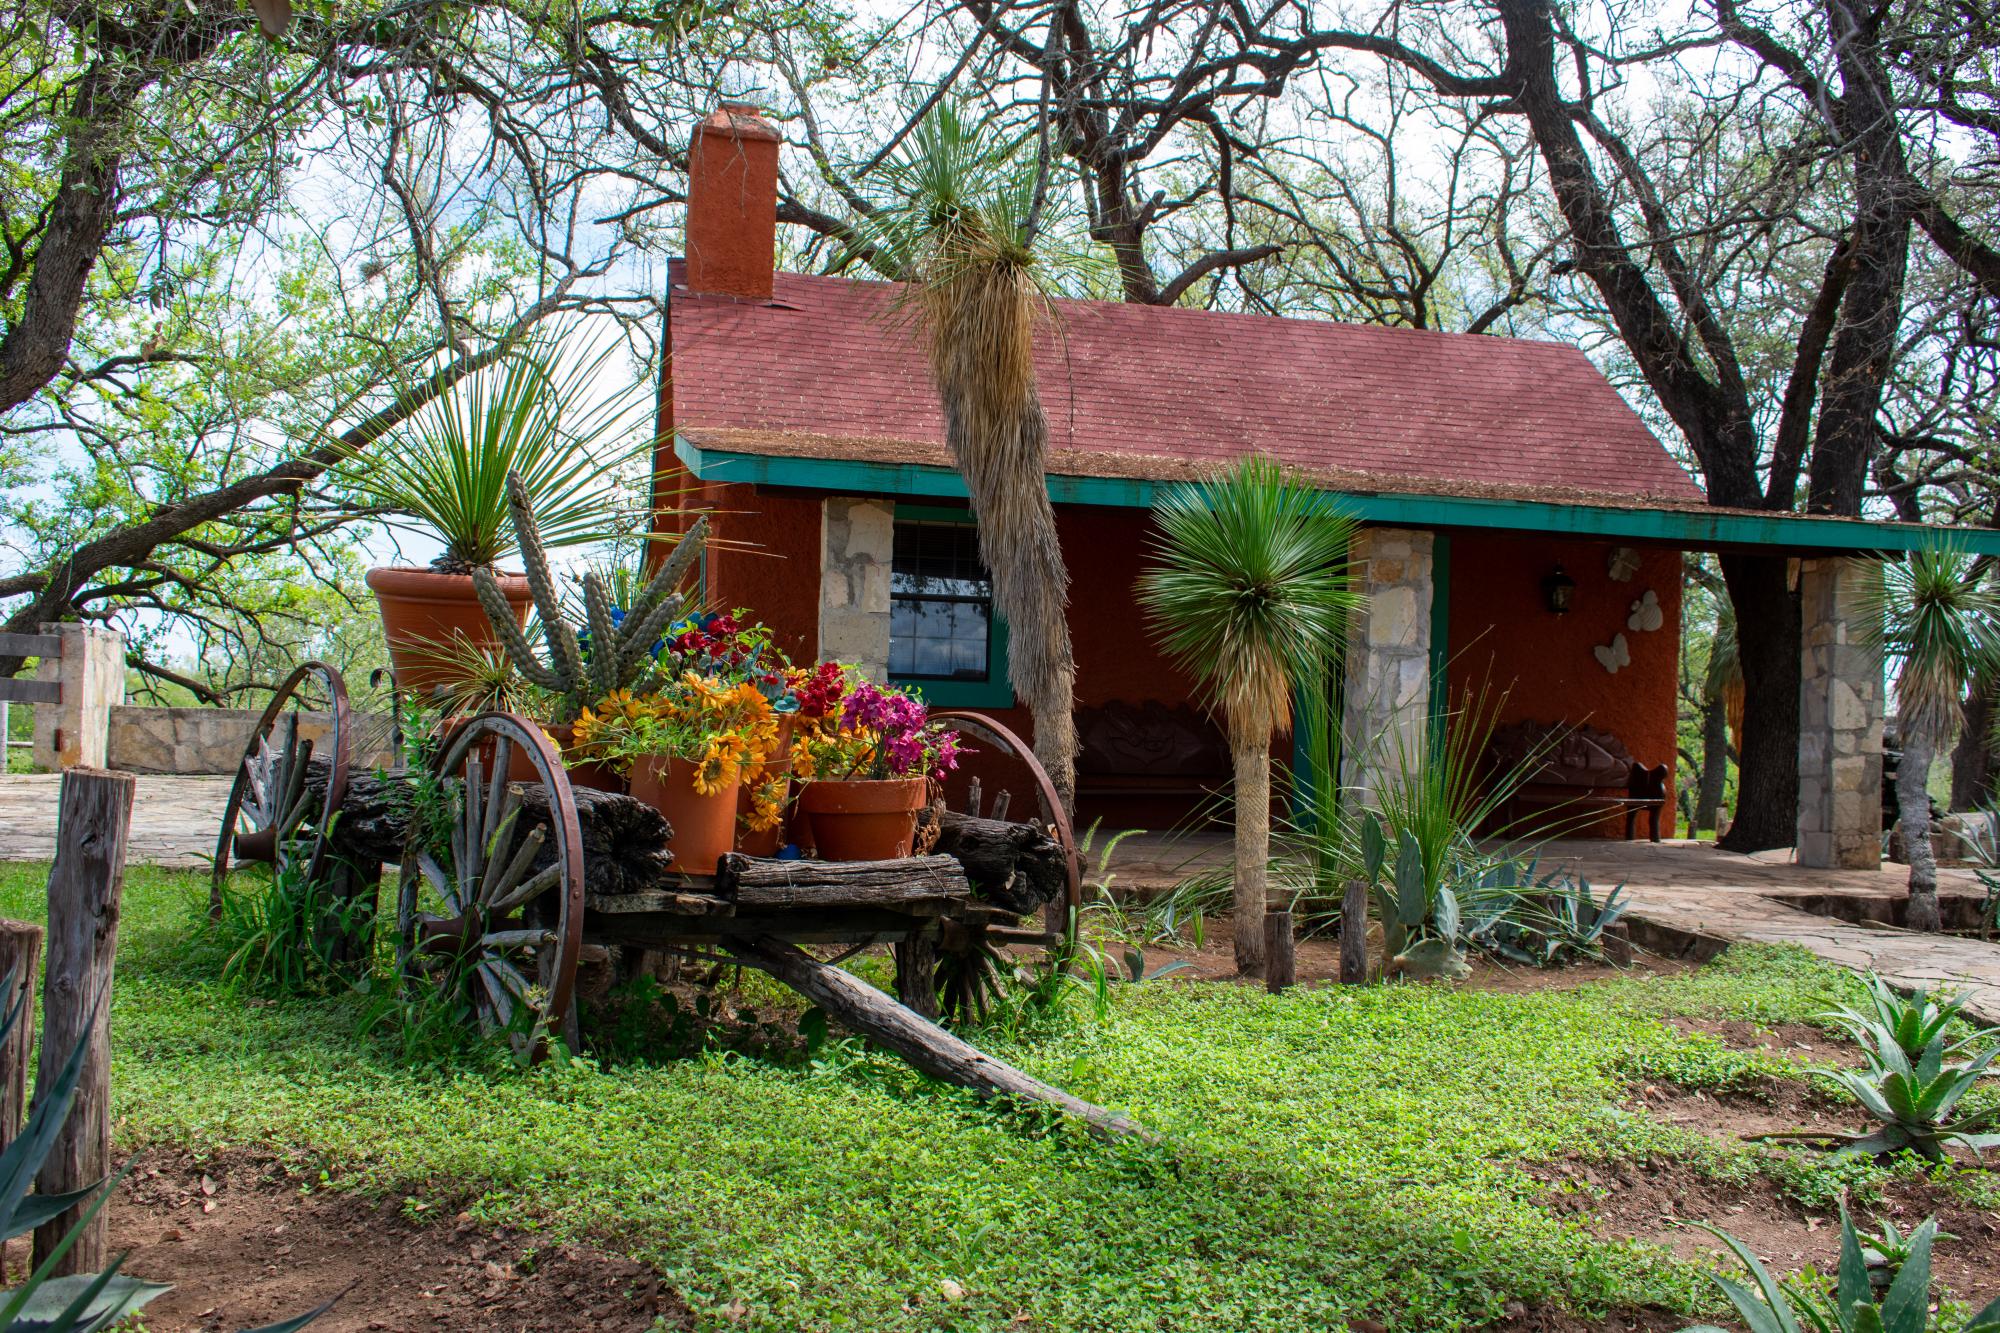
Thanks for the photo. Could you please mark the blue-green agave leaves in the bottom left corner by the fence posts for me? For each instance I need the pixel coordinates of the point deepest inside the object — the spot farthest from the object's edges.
(81, 1302)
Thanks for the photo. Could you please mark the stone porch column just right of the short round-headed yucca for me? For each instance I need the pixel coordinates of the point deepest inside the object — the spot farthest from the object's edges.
(1387, 692)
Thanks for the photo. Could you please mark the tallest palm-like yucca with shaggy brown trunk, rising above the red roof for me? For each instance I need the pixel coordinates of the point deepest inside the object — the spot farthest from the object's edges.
(965, 221)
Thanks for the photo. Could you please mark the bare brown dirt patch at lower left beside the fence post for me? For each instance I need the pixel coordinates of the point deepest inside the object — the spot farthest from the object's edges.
(243, 1248)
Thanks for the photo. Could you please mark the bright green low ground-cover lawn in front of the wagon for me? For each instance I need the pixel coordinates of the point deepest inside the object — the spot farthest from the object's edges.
(1335, 1152)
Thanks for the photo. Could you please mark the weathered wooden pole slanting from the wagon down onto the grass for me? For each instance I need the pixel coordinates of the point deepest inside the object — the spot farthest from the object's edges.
(925, 1046)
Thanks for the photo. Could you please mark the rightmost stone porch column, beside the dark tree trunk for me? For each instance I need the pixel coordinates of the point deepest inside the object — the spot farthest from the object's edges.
(1841, 716)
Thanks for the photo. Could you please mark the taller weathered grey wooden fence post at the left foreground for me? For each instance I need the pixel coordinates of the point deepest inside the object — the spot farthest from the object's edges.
(77, 1000)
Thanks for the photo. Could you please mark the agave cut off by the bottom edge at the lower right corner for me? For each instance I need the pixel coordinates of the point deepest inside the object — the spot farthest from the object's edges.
(1855, 1304)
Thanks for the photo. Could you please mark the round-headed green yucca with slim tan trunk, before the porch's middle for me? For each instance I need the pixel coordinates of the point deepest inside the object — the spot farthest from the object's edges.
(1251, 595)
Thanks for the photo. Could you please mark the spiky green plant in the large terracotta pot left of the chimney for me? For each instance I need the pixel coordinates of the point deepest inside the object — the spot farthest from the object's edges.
(529, 417)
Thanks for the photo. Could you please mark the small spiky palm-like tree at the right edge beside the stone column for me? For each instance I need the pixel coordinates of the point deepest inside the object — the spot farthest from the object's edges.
(1941, 623)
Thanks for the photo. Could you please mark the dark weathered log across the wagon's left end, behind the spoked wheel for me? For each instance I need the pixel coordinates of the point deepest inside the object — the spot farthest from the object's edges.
(627, 844)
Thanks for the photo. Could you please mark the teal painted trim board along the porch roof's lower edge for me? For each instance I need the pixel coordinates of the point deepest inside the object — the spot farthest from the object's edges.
(1127, 481)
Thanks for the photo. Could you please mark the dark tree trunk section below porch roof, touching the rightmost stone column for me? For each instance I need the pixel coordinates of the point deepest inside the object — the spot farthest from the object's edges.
(1767, 641)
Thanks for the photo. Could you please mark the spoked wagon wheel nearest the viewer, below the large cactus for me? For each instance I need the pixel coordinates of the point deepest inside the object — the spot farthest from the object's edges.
(493, 914)
